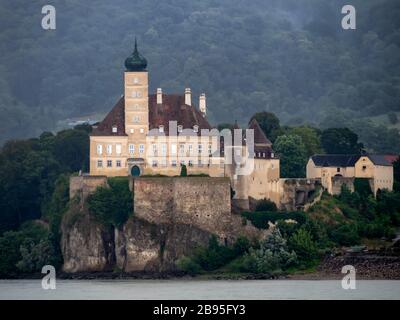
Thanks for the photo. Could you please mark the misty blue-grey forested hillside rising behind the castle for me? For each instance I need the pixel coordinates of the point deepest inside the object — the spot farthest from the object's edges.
(289, 57)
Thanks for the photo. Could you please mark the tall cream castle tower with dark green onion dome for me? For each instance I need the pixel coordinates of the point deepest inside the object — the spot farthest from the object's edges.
(136, 88)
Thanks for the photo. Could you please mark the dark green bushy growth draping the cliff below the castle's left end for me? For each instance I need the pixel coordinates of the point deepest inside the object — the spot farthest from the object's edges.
(112, 205)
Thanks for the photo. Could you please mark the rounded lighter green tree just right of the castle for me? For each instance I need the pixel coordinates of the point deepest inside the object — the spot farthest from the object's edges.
(293, 156)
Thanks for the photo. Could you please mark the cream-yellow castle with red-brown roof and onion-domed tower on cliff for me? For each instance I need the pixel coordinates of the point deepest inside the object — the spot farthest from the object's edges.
(155, 134)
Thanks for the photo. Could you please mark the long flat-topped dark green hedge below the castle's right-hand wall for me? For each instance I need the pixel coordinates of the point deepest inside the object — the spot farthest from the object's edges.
(260, 219)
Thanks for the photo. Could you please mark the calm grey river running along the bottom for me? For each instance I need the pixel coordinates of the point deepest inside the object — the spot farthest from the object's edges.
(199, 289)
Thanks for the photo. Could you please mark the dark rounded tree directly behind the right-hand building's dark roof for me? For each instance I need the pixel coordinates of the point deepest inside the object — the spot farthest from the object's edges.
(340, 141)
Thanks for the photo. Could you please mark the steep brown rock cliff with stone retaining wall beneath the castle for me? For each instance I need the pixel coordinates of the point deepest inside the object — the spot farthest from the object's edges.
(164, 227)
